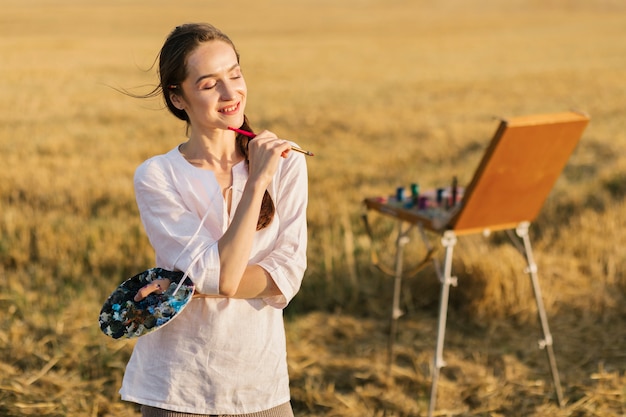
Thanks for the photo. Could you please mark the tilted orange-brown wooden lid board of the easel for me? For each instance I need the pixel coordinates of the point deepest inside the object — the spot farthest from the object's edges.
(518, 170)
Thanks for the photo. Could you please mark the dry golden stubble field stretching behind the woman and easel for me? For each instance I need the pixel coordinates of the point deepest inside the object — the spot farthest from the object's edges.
(385, 92)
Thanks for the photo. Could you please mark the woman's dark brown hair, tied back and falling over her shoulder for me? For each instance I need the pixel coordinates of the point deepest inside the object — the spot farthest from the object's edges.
(180, 43)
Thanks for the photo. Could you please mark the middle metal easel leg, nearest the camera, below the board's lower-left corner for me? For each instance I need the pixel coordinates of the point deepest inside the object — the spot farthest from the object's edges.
(448, 241)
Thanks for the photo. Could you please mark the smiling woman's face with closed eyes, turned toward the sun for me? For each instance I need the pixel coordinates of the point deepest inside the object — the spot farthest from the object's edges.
(214, 92)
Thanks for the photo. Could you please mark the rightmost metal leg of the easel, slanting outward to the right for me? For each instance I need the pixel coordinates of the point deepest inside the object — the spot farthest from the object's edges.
(546, 343)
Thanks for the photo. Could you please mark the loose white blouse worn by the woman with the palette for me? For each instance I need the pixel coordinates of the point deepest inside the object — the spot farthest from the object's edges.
(219, 355)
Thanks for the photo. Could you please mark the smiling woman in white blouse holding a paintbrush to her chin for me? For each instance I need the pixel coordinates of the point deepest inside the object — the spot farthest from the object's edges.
(225, 353)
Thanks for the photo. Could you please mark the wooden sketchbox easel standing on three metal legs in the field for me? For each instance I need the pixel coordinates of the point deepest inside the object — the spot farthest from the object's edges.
(517, 172)
